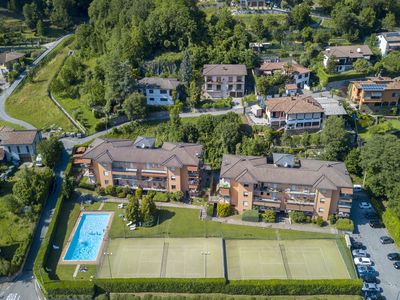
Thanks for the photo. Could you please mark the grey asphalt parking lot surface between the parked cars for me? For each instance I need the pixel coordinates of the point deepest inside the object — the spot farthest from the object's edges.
(388, 276)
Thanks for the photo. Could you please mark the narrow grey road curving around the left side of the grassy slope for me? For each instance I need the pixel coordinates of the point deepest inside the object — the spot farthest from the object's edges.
(7, 92)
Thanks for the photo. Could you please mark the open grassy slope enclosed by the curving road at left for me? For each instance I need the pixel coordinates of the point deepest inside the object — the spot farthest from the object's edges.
(30, 102)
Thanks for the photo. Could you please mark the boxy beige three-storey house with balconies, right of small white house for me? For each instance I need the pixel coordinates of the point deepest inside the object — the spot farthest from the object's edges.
(223, 81)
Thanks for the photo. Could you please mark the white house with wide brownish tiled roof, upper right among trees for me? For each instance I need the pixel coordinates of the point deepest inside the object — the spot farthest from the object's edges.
(346, 55)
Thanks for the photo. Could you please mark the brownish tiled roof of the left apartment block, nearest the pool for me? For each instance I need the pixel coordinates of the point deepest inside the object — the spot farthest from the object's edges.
(170, 154)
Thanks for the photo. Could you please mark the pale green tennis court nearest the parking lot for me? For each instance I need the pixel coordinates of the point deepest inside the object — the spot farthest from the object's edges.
(288, 259)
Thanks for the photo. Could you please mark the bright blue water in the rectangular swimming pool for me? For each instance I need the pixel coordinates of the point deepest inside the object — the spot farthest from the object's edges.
(88, 237)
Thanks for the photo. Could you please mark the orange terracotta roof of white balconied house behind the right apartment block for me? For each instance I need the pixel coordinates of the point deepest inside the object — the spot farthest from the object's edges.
(293, 105)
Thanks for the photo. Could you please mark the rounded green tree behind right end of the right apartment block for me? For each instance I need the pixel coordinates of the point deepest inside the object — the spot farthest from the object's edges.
(334, 138)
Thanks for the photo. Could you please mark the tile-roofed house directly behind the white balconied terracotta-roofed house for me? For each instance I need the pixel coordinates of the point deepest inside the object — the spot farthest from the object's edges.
(299, 75)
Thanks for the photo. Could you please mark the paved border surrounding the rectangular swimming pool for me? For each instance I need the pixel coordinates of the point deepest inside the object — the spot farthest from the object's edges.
(66, 247)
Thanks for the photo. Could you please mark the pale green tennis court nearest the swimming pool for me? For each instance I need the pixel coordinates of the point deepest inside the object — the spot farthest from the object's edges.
(159, 257)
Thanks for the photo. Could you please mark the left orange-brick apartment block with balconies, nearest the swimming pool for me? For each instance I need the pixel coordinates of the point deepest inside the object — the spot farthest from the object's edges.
(170, 168)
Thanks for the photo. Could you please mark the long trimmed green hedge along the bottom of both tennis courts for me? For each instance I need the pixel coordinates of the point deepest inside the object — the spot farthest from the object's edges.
(237, 287)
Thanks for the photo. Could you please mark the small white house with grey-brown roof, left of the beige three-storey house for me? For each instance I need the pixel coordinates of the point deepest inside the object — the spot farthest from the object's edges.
(159, 91)
